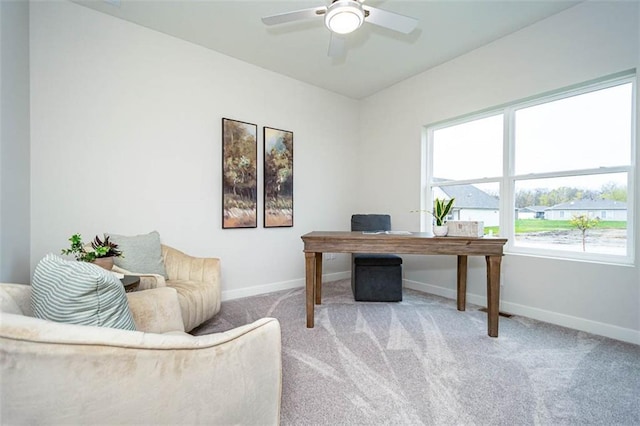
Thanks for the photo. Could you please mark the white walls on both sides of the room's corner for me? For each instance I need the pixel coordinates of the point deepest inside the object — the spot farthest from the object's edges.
(126, 138)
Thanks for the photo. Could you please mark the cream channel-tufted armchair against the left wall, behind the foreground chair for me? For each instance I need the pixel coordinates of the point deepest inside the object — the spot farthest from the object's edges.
(196, 279)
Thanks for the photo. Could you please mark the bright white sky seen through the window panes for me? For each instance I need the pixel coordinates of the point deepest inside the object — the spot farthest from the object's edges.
(585, 131)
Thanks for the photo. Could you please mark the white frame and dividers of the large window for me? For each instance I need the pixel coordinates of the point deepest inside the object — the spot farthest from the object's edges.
(507, 182)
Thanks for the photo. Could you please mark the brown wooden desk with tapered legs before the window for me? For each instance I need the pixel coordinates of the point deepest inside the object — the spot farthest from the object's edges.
(316, 243)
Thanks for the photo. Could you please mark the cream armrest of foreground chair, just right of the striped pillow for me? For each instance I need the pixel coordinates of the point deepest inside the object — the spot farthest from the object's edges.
(156, 310)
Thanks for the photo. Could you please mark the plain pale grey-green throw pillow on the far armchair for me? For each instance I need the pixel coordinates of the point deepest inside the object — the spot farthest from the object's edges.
(142, 254)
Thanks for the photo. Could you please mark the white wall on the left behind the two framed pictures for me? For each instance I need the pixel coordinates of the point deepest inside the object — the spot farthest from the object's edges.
(126, 138)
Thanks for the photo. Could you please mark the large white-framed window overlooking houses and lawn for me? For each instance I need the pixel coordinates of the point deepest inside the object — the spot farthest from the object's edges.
(554, 175)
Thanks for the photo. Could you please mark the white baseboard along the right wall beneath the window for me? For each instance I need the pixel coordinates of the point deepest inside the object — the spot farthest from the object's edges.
(576, 323)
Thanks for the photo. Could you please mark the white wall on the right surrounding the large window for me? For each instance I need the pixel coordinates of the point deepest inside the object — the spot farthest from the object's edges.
(588, 41)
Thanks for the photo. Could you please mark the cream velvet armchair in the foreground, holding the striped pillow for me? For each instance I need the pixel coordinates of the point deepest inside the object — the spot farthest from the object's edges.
(57, 373)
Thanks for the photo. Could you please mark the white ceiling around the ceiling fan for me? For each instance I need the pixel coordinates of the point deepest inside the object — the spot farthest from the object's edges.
(376, 58)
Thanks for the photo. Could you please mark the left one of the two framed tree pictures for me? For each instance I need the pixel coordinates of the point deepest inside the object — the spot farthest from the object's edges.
(239, 174)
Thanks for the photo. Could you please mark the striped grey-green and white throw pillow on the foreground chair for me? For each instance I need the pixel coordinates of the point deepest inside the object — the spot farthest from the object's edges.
(79, 293)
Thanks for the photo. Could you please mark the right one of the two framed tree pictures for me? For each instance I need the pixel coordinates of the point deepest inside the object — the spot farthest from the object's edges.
(278, 178)
